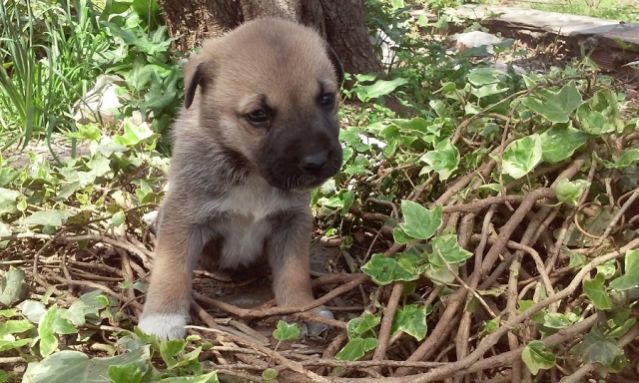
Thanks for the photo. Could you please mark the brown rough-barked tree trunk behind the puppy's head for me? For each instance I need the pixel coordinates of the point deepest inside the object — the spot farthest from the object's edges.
(341, 23)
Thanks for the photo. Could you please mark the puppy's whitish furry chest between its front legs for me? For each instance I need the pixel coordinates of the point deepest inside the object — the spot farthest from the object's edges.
(246, 225)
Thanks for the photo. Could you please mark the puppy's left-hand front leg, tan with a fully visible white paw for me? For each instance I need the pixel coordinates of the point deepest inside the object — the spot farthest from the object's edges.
(168, 297)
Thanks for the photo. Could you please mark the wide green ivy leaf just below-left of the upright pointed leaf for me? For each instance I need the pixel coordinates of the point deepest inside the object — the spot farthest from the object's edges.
(384, 270)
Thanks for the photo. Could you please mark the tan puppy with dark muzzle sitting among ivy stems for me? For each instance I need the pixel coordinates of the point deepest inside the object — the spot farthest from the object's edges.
(258, 131)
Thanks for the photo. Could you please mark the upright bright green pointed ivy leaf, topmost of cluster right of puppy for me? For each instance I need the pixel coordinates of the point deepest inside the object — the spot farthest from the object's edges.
(419, 222)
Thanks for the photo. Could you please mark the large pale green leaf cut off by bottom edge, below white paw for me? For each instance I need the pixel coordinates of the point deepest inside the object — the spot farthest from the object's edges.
(74, 366)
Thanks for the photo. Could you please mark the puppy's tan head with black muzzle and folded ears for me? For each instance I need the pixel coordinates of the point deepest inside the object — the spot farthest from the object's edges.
(268, 92)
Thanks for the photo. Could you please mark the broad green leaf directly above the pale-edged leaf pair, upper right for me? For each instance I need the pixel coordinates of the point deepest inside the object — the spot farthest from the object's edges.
(555, 106)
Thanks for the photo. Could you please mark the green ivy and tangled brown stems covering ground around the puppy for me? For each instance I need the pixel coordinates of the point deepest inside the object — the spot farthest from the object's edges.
(486, 223)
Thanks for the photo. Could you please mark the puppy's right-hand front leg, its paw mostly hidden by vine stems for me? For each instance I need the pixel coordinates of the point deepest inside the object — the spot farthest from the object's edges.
(288, 251)
